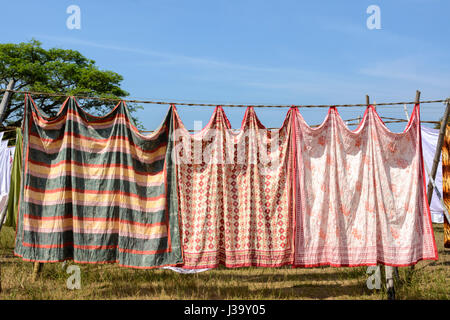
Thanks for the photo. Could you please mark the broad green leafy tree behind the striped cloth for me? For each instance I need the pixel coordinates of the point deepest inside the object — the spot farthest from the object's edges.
(29, 67)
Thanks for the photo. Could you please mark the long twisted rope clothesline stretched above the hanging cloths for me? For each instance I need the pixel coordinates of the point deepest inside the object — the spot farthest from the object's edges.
(223, 105)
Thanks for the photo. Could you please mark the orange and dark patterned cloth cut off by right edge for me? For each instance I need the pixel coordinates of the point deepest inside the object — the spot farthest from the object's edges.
(446, 183)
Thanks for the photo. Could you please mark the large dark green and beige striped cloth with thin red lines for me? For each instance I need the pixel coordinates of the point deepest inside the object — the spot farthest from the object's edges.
(97, 191)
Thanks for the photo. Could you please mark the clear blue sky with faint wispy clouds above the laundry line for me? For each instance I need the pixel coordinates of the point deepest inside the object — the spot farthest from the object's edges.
(254, 52)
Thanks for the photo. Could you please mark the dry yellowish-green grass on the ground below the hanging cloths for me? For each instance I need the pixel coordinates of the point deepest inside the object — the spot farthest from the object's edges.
(429, 280)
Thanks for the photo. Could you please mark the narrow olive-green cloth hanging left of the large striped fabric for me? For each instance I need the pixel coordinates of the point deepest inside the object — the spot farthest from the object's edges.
(16, 176)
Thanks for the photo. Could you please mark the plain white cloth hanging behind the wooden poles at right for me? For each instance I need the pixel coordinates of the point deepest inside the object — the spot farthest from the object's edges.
(429, 143)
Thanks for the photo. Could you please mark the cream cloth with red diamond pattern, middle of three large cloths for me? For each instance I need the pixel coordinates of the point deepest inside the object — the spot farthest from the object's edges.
(235, 193)
